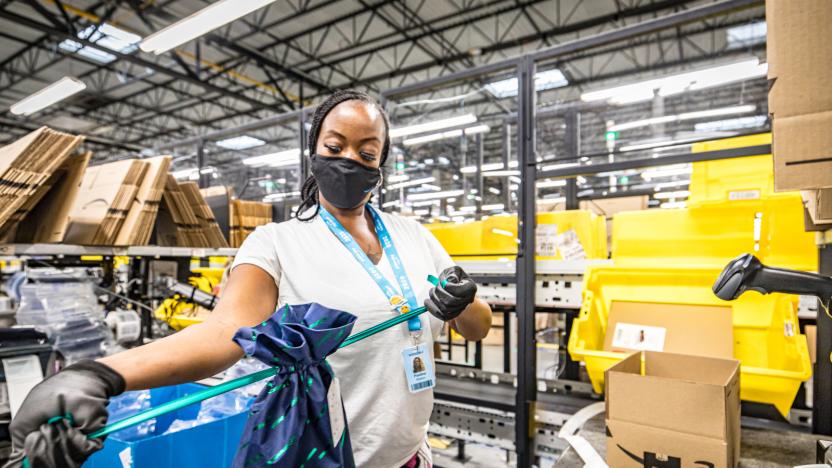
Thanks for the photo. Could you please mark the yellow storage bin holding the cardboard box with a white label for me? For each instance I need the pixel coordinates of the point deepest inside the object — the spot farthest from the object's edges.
(774, 356)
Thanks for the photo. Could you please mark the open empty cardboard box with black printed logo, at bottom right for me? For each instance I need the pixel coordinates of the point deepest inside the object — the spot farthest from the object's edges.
(675, 410)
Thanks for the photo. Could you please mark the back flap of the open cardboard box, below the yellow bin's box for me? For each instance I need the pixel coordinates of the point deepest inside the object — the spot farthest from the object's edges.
(690, 368)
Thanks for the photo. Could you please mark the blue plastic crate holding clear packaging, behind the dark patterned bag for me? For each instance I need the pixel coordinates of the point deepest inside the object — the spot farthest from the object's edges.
(212, 444)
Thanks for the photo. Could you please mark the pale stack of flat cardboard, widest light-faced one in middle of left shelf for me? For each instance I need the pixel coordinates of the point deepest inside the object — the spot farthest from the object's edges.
(106, 196)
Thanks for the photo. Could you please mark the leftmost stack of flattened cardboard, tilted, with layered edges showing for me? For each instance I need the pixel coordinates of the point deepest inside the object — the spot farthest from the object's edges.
(26, 166)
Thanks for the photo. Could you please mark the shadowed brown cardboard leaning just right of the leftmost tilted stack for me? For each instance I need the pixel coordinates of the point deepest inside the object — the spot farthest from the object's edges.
(44, 216)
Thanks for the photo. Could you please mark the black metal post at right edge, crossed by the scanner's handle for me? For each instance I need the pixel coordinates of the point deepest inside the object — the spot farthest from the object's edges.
(822, 391)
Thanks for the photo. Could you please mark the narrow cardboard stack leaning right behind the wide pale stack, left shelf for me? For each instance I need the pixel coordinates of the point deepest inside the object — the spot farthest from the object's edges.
(141, 215)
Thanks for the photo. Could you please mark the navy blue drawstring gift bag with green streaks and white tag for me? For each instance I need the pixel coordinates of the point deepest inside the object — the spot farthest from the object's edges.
(289, 423)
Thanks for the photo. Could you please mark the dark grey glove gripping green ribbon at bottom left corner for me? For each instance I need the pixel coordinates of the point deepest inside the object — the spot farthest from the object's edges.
(79, 394)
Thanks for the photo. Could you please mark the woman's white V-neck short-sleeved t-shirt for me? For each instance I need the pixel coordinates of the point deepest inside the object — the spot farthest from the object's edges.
(387, 423)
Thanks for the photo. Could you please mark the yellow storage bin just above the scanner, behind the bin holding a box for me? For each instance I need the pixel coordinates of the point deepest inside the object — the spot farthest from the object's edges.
(712, 234)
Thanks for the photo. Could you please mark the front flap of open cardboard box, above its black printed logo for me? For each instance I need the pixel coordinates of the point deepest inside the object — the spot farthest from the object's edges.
(678, 405)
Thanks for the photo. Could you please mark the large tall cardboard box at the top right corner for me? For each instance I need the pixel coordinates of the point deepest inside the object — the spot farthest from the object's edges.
(800, 98)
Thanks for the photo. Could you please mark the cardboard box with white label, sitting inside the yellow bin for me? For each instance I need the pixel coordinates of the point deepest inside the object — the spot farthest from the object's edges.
(676, 328)
